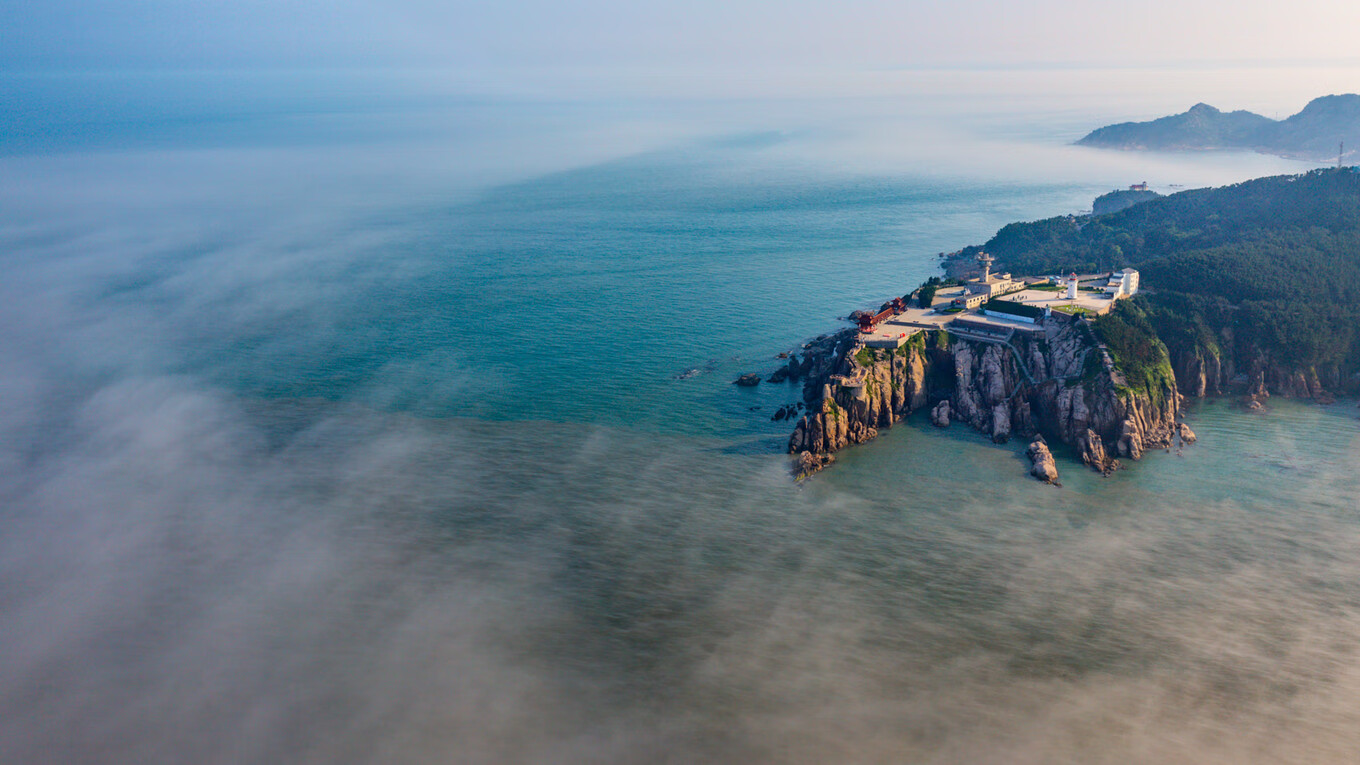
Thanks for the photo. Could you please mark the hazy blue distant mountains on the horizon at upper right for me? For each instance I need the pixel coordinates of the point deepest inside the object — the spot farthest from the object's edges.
(1314, 134)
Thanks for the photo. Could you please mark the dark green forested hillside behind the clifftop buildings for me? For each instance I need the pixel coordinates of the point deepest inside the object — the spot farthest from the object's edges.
(1263, 273)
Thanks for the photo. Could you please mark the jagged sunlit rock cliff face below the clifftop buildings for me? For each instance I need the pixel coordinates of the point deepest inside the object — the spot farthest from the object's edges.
(1059, 385)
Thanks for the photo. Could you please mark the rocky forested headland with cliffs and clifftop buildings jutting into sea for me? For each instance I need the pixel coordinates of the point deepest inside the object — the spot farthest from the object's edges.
(1251, 291)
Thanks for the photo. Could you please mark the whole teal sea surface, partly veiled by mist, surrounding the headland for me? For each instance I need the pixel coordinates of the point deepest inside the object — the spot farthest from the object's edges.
(362, 419)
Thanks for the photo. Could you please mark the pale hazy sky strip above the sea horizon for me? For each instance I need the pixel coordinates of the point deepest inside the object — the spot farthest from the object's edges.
(649, 35)
